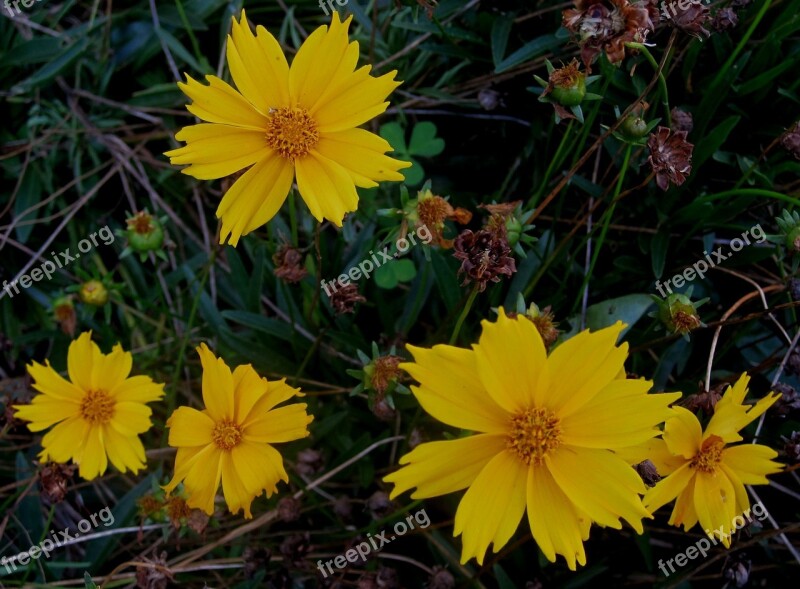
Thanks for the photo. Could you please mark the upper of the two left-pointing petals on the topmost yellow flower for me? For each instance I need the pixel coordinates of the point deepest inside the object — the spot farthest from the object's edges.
(220, 103)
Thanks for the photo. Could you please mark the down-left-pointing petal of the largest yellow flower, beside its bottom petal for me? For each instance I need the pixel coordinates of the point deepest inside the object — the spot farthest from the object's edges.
(492, 507)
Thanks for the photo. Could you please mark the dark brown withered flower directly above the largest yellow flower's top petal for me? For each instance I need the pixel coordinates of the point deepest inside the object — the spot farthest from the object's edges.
(485, 256)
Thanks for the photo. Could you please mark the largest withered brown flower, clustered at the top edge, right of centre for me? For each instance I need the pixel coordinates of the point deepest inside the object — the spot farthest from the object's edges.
(606, 25)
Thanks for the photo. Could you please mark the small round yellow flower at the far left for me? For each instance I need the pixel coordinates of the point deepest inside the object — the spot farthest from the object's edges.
(98, 416)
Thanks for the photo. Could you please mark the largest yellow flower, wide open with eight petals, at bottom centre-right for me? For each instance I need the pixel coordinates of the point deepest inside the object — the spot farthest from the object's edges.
(547, 425)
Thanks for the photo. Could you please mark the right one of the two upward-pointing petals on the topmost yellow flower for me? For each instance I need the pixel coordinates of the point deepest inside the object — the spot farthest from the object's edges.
(321, 62)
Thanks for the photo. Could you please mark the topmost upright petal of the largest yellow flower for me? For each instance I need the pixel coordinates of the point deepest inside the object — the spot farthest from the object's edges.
(511, 361)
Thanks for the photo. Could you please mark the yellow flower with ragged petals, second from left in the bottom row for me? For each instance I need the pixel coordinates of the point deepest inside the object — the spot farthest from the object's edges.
(230, 439)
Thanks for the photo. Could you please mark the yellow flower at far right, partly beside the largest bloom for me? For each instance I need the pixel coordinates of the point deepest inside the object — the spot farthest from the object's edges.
(705, 474)
